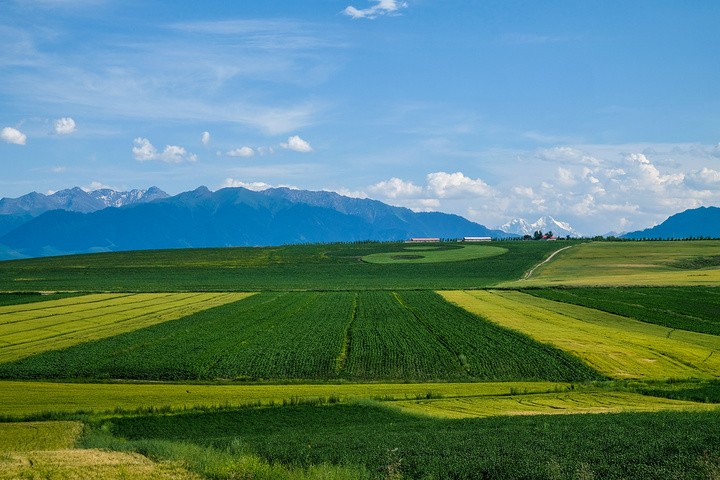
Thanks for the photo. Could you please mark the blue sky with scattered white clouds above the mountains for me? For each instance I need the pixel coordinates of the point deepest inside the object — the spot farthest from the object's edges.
(604, 114)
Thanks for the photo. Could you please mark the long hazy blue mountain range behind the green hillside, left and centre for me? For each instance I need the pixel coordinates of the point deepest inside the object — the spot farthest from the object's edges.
(231, 217)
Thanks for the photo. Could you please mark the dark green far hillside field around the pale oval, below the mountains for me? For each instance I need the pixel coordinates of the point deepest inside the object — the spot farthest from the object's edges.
(292, 267)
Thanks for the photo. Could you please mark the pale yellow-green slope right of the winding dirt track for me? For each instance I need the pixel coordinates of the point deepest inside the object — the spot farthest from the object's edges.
(626, 264)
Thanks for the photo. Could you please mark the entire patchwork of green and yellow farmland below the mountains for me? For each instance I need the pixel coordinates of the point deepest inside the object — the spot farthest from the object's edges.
(366, 360)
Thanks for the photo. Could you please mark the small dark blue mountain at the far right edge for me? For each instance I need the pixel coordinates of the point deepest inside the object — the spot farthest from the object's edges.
(698, 222)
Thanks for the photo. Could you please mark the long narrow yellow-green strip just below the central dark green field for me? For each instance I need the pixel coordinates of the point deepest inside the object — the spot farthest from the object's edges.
(21, 399)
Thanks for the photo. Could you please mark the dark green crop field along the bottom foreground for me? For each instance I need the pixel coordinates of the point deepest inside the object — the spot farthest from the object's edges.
(382, 440)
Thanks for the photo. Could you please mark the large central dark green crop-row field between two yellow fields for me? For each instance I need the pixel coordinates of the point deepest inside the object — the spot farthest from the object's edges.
(367, 335)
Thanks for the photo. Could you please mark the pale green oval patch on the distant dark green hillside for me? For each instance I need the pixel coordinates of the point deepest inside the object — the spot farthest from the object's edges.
(434, 254)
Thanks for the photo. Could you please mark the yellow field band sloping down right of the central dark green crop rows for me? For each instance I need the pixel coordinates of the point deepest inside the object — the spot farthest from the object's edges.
(616, 346)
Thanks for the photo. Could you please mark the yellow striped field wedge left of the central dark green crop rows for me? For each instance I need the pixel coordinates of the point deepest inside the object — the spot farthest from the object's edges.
(33, 328)
